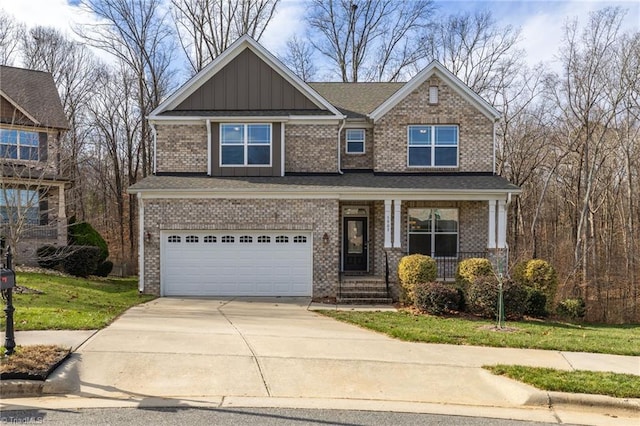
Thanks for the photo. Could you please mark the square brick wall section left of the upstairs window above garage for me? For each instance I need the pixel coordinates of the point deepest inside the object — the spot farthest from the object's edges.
(181, 148)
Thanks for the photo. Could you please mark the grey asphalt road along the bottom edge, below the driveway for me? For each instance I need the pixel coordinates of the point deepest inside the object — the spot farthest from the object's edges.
(241, 416)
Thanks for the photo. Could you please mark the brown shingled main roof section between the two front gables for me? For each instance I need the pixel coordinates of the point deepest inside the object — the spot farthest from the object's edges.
(356, 100)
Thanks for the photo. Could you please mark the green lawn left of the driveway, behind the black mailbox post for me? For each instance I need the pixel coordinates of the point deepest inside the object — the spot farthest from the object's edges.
(70, 303)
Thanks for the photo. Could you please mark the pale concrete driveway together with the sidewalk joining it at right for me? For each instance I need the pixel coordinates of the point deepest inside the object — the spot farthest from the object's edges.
(269, 350)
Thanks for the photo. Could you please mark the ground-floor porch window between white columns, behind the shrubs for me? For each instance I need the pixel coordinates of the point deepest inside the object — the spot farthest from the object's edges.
(433, 232)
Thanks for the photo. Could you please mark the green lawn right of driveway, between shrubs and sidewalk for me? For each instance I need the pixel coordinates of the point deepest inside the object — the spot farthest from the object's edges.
(608, 339)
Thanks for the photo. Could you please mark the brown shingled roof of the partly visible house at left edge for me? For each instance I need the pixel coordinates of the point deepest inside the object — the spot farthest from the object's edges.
(34, 93)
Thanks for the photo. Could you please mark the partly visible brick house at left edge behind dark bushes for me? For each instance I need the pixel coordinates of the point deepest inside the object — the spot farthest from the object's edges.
(32, 198)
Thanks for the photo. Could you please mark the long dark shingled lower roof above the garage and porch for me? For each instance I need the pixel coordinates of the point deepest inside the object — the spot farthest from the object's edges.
(350, 186)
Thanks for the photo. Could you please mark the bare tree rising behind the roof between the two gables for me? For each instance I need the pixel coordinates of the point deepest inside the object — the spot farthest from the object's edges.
(370, 40)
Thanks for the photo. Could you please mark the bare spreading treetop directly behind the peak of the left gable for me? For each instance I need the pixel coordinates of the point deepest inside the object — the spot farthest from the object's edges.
(208, 27)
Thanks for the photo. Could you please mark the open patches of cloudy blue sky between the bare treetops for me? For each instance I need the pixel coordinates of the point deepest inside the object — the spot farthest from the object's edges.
(540, 21)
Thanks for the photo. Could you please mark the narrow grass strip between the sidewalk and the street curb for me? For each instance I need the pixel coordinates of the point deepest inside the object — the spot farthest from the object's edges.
(600, 383)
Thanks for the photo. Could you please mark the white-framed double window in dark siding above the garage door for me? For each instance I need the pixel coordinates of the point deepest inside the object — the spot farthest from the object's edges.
(245, 144)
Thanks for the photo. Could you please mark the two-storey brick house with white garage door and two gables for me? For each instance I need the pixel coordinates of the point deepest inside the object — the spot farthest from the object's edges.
(266, 185)
